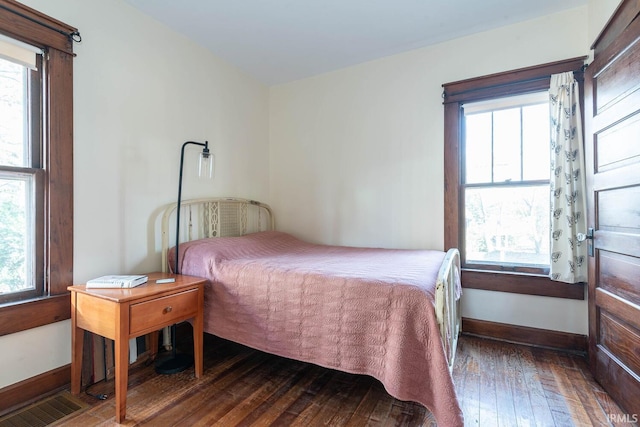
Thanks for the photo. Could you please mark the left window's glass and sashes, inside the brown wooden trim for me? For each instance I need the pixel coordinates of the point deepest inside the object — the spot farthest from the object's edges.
(21, 203)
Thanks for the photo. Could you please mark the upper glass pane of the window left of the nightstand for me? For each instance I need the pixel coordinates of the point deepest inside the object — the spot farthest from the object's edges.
(13, 115)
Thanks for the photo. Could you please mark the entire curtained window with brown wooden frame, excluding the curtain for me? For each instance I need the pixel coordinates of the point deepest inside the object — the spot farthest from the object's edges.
(497, 179)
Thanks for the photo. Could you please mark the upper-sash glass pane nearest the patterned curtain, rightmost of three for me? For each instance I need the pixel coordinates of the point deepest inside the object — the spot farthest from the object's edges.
(535, 142)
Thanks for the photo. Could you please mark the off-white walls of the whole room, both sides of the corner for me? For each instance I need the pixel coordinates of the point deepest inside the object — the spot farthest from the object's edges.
(356, 155)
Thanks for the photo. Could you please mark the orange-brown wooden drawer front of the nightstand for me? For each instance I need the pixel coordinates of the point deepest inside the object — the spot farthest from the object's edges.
(164, 311)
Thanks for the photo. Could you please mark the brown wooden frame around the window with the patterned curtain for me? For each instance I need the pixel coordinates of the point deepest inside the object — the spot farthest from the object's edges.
(517, 82)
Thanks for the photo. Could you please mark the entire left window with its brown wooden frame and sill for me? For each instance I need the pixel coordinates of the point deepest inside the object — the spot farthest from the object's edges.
(36, 168)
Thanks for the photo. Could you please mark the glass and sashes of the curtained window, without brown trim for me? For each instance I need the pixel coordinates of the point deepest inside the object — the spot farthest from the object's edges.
(505, 183)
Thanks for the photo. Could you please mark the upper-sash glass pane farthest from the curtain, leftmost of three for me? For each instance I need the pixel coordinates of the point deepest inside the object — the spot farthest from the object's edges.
(478, 148)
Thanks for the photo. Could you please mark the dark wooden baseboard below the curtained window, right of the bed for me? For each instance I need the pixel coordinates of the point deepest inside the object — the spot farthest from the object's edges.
(565, 341)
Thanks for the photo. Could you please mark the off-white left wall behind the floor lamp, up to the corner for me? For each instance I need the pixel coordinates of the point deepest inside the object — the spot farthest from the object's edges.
(140, 91)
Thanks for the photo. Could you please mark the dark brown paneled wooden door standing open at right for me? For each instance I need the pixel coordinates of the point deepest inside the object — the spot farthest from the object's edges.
(612, 143)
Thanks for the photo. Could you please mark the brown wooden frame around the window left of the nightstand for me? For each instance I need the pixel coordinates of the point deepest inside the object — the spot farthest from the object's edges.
(55, 38)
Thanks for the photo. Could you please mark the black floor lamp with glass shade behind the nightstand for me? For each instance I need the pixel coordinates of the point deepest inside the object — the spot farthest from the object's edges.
(178, 362)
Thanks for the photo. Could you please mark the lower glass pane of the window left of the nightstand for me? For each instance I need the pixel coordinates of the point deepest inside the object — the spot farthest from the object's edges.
(16, 233)
